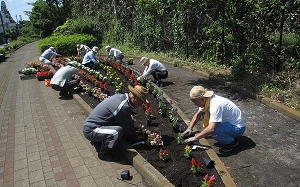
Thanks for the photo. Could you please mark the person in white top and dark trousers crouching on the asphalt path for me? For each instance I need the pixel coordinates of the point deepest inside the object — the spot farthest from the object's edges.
(154, 68)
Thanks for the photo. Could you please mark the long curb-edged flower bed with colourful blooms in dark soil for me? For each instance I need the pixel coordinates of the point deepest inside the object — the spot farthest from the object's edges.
(181, 165)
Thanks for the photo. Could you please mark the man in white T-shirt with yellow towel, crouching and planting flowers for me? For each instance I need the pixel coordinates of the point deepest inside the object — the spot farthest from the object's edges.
(223, 120)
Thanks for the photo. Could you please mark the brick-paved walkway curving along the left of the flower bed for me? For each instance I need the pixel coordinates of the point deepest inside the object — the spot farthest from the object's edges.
(41, 141)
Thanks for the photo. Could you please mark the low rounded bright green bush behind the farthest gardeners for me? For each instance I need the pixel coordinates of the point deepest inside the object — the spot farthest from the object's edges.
(66, 44)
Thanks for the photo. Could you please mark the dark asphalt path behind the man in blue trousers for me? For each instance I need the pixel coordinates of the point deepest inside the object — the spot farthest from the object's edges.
(268, 153)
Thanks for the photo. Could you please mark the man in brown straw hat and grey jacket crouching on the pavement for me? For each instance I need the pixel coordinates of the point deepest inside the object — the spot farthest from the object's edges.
(111, 120)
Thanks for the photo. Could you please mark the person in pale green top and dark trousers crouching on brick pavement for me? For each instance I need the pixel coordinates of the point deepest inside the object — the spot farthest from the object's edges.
(61, 80)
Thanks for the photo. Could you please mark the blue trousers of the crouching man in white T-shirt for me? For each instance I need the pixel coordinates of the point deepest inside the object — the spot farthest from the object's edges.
(226, 132)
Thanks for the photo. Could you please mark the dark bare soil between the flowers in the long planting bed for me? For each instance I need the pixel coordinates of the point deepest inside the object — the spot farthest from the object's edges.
(178, 168)
